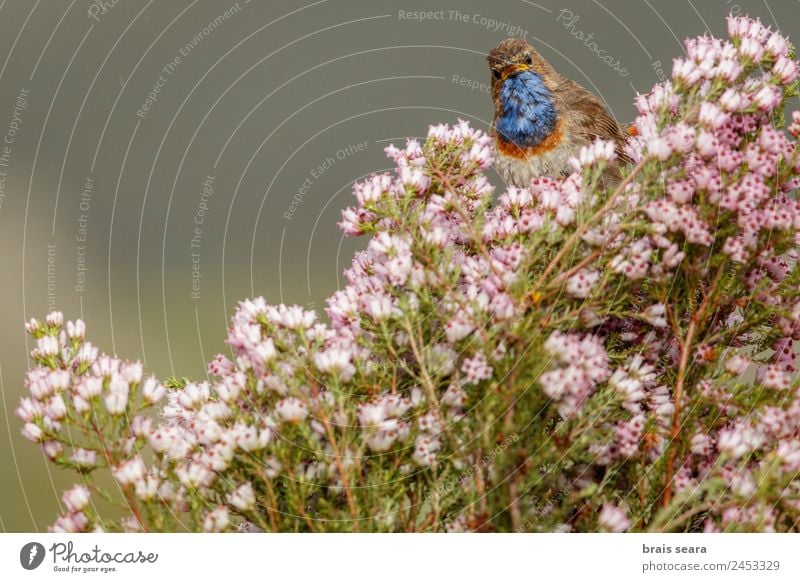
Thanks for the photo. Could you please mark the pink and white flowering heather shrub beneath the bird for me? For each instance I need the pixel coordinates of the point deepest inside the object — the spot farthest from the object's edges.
(569, 356)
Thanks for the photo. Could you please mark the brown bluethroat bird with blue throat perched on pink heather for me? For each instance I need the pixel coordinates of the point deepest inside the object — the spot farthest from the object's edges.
(541, 119)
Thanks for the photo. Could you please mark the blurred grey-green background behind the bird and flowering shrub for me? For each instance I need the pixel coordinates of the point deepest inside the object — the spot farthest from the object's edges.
(169, 158)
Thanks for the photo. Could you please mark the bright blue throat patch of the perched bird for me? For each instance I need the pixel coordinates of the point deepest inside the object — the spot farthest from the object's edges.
(529, 115)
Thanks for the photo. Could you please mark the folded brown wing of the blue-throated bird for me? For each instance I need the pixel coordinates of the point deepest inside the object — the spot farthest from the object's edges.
(589, 116)
